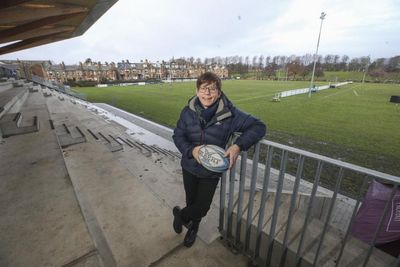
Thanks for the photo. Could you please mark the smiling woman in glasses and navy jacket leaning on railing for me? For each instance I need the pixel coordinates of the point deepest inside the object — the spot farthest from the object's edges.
(209, 118)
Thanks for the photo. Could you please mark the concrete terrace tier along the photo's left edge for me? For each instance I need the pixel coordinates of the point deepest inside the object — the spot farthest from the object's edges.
(41, 222)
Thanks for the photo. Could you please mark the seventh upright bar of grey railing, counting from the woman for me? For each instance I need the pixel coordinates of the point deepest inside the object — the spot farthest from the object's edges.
(299, 173)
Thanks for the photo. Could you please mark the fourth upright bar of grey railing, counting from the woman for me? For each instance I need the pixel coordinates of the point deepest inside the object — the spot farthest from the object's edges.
(252, 193)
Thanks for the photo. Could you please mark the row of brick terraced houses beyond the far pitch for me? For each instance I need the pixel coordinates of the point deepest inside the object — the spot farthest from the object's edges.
(104, 72)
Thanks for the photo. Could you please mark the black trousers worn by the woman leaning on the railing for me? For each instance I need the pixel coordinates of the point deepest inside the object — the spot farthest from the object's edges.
(199, 194)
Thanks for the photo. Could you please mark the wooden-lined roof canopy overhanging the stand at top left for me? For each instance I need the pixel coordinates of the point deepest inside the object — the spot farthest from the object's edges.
(25, 24)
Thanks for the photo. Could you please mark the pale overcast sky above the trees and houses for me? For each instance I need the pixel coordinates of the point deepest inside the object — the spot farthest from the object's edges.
(162, 29)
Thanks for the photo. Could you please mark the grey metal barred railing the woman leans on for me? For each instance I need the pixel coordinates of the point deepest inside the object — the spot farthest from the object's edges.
(279, 209)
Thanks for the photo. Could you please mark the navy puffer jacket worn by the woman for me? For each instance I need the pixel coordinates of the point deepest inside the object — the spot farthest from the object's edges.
(190, 132)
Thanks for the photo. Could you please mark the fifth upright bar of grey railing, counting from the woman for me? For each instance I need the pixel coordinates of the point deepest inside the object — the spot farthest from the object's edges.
(263, 200)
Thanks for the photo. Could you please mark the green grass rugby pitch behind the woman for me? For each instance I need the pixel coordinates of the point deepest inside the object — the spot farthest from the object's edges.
(355, 123)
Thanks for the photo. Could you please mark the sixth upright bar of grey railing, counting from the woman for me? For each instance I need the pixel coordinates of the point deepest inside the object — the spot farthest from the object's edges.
(275, 213)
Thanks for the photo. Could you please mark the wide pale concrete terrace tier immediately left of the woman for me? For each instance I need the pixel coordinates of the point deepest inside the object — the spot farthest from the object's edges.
(115, 197)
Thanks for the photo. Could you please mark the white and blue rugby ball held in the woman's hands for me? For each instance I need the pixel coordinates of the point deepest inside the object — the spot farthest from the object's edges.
(212, 158)
